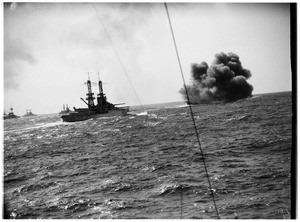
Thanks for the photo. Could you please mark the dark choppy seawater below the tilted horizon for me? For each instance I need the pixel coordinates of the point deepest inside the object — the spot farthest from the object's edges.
(135, 166)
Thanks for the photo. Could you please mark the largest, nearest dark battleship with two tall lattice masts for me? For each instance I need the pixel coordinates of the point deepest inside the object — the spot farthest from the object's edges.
(103, 107)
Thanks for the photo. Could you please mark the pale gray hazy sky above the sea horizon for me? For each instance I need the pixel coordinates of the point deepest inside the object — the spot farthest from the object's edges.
(50, 47)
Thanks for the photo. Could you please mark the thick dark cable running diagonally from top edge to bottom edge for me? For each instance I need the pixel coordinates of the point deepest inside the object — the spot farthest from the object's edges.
(191, 111)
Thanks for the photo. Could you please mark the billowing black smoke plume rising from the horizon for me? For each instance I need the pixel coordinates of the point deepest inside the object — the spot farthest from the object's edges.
(225, 80)
